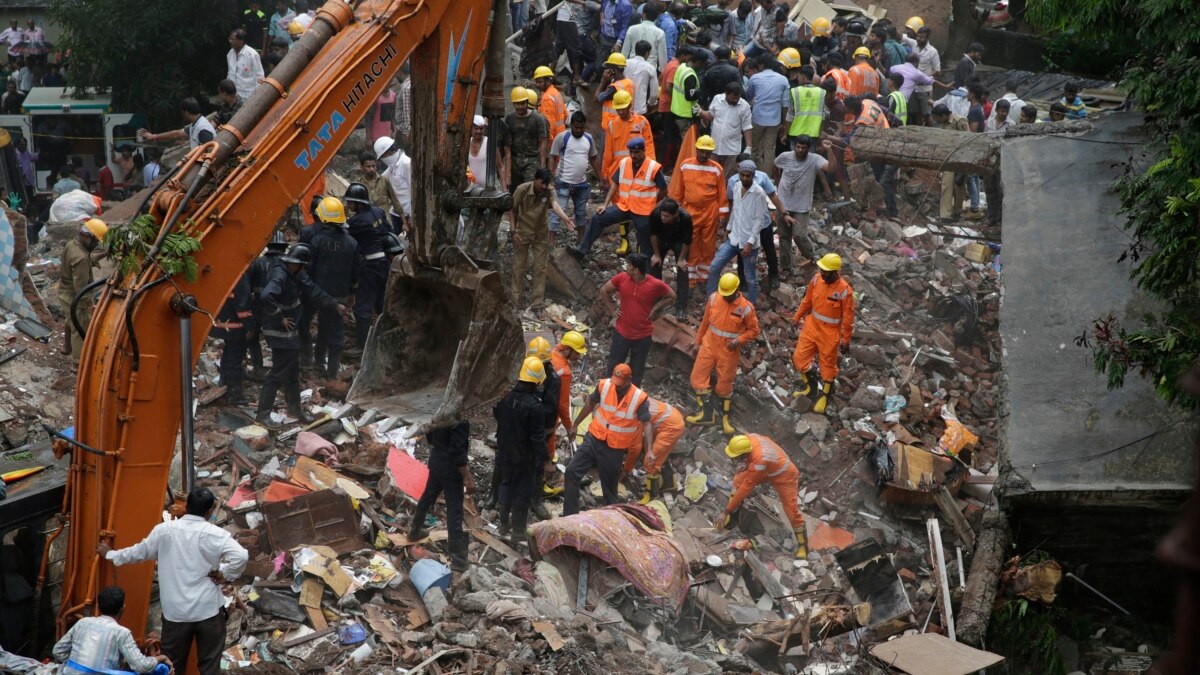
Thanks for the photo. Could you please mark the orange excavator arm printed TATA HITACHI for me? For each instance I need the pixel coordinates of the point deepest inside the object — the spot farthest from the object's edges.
(230, 193)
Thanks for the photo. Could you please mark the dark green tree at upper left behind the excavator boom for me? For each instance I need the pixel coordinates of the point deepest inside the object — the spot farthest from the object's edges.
(151, 55)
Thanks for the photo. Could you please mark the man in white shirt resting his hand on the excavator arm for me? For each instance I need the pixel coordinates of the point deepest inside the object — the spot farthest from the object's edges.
(193, 555)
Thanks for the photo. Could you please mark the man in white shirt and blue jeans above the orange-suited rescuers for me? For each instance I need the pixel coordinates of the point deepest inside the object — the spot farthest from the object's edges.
(747, 212)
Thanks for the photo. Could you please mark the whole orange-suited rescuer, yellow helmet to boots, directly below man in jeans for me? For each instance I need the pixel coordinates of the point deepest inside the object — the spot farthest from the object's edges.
(730, 324)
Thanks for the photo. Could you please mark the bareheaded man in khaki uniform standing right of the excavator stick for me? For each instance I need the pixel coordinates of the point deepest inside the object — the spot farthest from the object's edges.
(530, 218)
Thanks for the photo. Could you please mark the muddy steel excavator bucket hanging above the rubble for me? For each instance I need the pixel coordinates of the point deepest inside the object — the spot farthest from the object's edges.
(447, 344)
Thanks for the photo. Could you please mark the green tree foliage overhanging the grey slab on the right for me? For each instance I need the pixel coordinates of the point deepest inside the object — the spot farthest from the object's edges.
(1161, 40)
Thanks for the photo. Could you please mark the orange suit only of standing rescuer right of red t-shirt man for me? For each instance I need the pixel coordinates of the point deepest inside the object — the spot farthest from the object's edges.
(724, 322)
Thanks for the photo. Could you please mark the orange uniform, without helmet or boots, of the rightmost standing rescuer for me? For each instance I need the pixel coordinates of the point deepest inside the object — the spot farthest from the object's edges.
(832, 322)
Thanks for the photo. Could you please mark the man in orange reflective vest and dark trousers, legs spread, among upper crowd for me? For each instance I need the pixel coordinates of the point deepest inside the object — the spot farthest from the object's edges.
(634, 190)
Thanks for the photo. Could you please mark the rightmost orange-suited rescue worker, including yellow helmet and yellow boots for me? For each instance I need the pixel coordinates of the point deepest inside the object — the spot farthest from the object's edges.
(826, 333)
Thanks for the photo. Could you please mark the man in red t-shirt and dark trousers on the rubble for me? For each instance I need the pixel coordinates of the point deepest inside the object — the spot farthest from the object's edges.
(643, 297)
